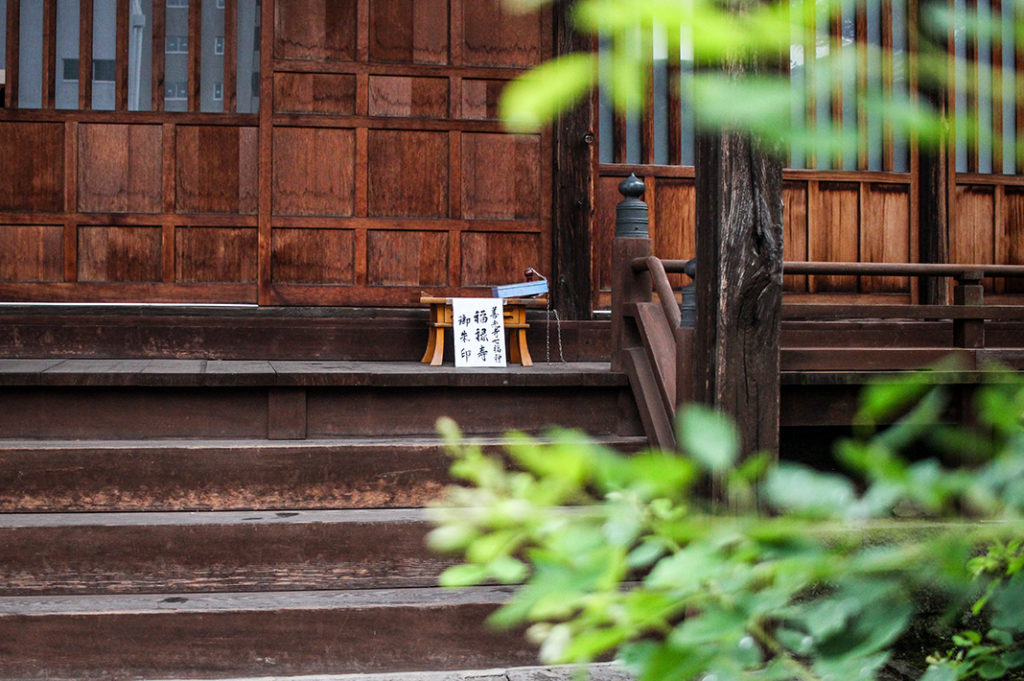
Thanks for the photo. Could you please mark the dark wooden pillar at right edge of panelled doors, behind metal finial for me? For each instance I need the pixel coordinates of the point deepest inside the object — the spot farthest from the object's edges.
(574, 185)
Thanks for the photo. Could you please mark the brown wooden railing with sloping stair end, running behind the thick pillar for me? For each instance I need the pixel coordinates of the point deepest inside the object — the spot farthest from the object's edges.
(656, 351)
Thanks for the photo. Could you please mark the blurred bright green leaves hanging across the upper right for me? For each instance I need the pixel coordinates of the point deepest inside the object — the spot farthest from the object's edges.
(741, 51)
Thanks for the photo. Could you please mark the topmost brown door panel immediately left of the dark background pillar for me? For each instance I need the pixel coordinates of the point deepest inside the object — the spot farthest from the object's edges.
(497, 36)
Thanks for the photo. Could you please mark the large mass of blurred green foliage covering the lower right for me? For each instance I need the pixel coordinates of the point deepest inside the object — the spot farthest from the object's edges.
(785, 572)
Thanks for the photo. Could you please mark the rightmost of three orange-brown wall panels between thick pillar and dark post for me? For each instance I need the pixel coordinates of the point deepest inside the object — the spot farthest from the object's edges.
(885, 234)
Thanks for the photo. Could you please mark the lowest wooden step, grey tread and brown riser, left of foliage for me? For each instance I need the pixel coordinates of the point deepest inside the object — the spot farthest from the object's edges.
(258, 634)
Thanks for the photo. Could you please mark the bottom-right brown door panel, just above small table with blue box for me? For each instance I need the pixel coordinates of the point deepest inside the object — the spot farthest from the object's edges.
(492, 259)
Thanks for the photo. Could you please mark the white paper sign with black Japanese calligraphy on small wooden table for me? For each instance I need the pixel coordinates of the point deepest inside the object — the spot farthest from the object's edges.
(480, 332)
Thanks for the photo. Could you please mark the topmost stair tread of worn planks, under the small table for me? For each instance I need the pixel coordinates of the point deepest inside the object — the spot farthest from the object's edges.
(189, 373)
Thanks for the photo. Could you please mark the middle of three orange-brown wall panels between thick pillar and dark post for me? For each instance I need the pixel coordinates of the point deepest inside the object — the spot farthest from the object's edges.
(834, 232)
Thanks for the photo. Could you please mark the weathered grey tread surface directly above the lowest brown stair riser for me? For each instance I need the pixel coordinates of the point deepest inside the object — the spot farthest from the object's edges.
(172, 604)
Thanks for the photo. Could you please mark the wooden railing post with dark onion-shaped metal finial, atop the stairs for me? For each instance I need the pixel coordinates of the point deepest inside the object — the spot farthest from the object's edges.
(632, 241)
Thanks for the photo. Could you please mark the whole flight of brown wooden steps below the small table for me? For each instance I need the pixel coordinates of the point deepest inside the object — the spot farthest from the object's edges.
(198, 519)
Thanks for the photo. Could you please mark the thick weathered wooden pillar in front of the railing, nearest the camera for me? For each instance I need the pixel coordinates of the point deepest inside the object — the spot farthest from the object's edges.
(740, 284)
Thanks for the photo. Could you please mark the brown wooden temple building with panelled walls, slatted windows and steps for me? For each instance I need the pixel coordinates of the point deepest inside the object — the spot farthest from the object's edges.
(218, 220)
